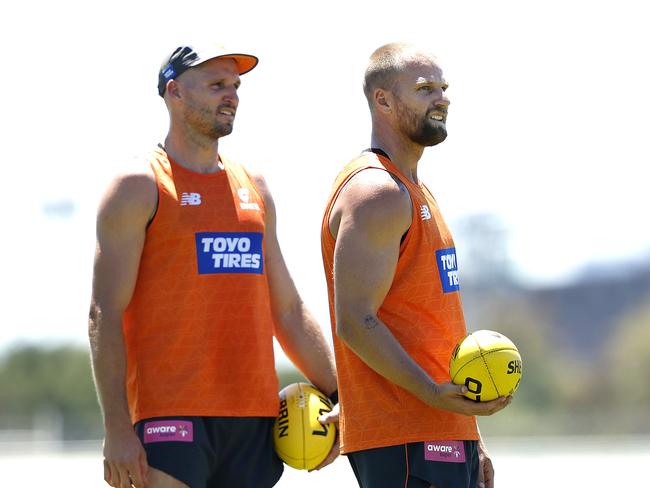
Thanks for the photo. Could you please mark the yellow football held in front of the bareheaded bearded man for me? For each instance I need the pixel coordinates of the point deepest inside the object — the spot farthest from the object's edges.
(488, 363)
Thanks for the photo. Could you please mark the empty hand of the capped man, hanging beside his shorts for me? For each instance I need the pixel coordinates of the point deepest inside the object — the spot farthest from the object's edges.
(125, 461)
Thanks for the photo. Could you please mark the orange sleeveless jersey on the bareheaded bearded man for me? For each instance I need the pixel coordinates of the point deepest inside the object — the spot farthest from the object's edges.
(424, 312)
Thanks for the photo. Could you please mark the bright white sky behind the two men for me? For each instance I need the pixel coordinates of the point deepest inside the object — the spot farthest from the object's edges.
(547, 126)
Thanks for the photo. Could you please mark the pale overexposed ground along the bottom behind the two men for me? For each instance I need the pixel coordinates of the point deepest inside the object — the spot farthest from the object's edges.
(519, 463)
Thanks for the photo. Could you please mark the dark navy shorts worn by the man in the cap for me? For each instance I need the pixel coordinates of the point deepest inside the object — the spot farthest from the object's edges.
(213, 452)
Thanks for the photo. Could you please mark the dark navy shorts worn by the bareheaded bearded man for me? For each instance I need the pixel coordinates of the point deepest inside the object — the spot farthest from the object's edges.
(443, 464)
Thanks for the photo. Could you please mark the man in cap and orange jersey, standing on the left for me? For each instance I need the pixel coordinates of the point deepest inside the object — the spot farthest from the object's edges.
(189, 289)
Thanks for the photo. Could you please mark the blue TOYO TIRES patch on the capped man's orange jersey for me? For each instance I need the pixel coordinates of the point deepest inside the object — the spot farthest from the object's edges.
(229, 252)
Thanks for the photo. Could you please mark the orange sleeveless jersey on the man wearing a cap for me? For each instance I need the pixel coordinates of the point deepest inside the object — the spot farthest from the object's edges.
(199, 329)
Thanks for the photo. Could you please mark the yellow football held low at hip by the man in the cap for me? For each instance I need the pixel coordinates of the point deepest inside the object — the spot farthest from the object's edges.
(301, 441)
